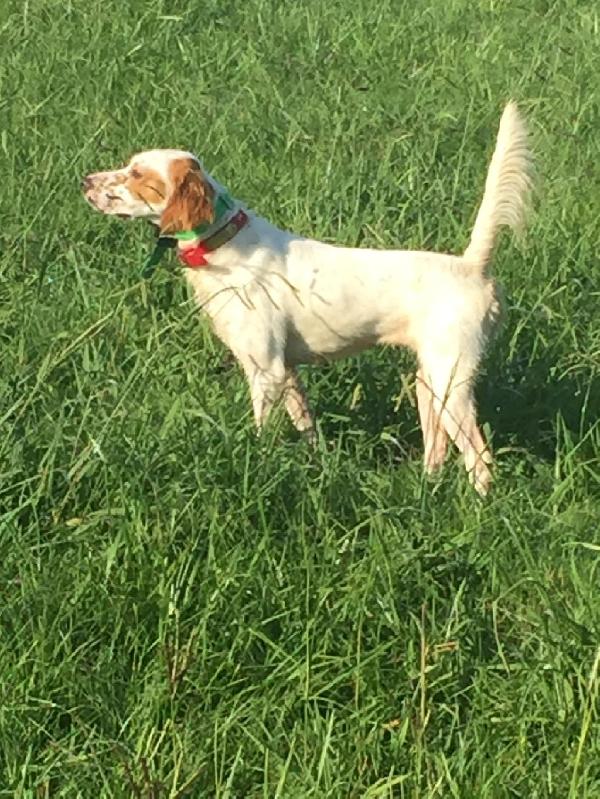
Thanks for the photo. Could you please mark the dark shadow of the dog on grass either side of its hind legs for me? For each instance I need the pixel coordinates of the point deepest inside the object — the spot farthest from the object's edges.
(520, 402)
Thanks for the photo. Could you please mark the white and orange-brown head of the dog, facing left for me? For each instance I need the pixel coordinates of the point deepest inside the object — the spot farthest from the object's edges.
(167, 187)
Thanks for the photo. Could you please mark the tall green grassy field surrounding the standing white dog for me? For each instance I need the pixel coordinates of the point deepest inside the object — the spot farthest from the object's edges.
(189, 611)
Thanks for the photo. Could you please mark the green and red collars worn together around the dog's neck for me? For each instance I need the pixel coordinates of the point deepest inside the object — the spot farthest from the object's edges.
(193, 257)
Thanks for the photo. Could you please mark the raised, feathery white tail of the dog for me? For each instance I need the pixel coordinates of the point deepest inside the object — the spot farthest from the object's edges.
(507, 188)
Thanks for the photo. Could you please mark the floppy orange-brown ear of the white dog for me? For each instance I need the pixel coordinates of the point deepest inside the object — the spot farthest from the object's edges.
(191, 200)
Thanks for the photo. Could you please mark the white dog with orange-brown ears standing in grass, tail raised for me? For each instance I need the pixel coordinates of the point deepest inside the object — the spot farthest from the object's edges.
(277, 299)
